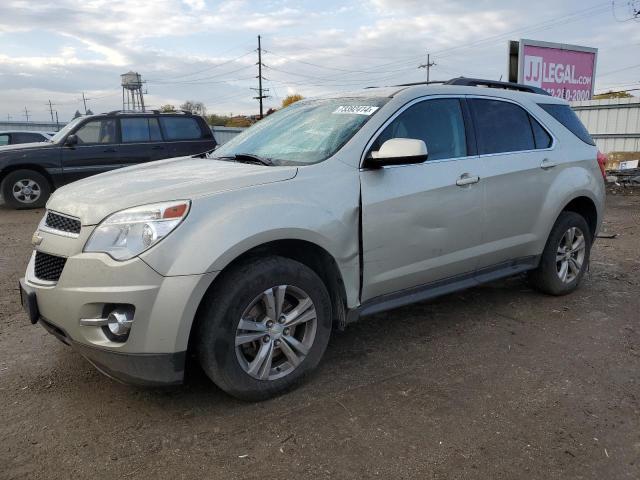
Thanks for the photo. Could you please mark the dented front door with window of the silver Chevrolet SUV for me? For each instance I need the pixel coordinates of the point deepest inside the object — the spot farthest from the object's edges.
(423, 223)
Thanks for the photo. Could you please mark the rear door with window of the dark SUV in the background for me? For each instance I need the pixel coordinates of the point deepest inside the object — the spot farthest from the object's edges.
(141, 140)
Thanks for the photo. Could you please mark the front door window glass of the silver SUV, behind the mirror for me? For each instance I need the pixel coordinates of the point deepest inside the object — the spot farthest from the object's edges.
(439, 123)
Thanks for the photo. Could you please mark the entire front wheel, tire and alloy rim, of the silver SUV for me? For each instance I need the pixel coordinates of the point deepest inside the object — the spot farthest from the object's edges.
(263, 327)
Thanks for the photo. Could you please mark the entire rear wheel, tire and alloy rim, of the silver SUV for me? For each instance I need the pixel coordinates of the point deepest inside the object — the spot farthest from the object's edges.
(565, 258)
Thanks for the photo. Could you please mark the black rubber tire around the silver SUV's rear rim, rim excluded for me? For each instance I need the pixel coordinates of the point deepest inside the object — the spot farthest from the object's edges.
(546, 278)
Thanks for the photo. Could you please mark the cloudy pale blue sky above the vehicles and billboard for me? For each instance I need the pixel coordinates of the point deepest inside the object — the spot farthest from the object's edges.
(205, 50)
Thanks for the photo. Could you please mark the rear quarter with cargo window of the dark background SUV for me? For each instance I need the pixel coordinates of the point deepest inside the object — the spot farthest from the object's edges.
(186, 135)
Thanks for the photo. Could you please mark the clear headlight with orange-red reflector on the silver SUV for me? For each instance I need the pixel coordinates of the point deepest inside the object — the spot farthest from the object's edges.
(130, 232)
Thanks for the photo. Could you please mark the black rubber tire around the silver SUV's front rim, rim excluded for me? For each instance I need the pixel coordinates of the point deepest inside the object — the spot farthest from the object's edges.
(223, 308)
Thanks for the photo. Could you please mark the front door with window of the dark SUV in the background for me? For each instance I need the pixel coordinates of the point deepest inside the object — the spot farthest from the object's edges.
(95, 152)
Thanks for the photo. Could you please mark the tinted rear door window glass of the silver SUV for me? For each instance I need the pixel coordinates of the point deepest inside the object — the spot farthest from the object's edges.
(501, 126)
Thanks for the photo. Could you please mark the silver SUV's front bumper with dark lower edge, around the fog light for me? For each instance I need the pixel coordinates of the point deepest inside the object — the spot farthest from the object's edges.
(165, 307)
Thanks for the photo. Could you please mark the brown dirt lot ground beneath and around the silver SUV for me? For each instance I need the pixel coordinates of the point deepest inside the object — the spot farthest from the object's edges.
(495, 382)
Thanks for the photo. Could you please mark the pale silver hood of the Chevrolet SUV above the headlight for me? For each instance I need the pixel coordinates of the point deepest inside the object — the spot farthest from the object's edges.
(93, 198)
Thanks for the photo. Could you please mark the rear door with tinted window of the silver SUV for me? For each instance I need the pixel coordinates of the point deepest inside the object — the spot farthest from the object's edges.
(517, 152)
